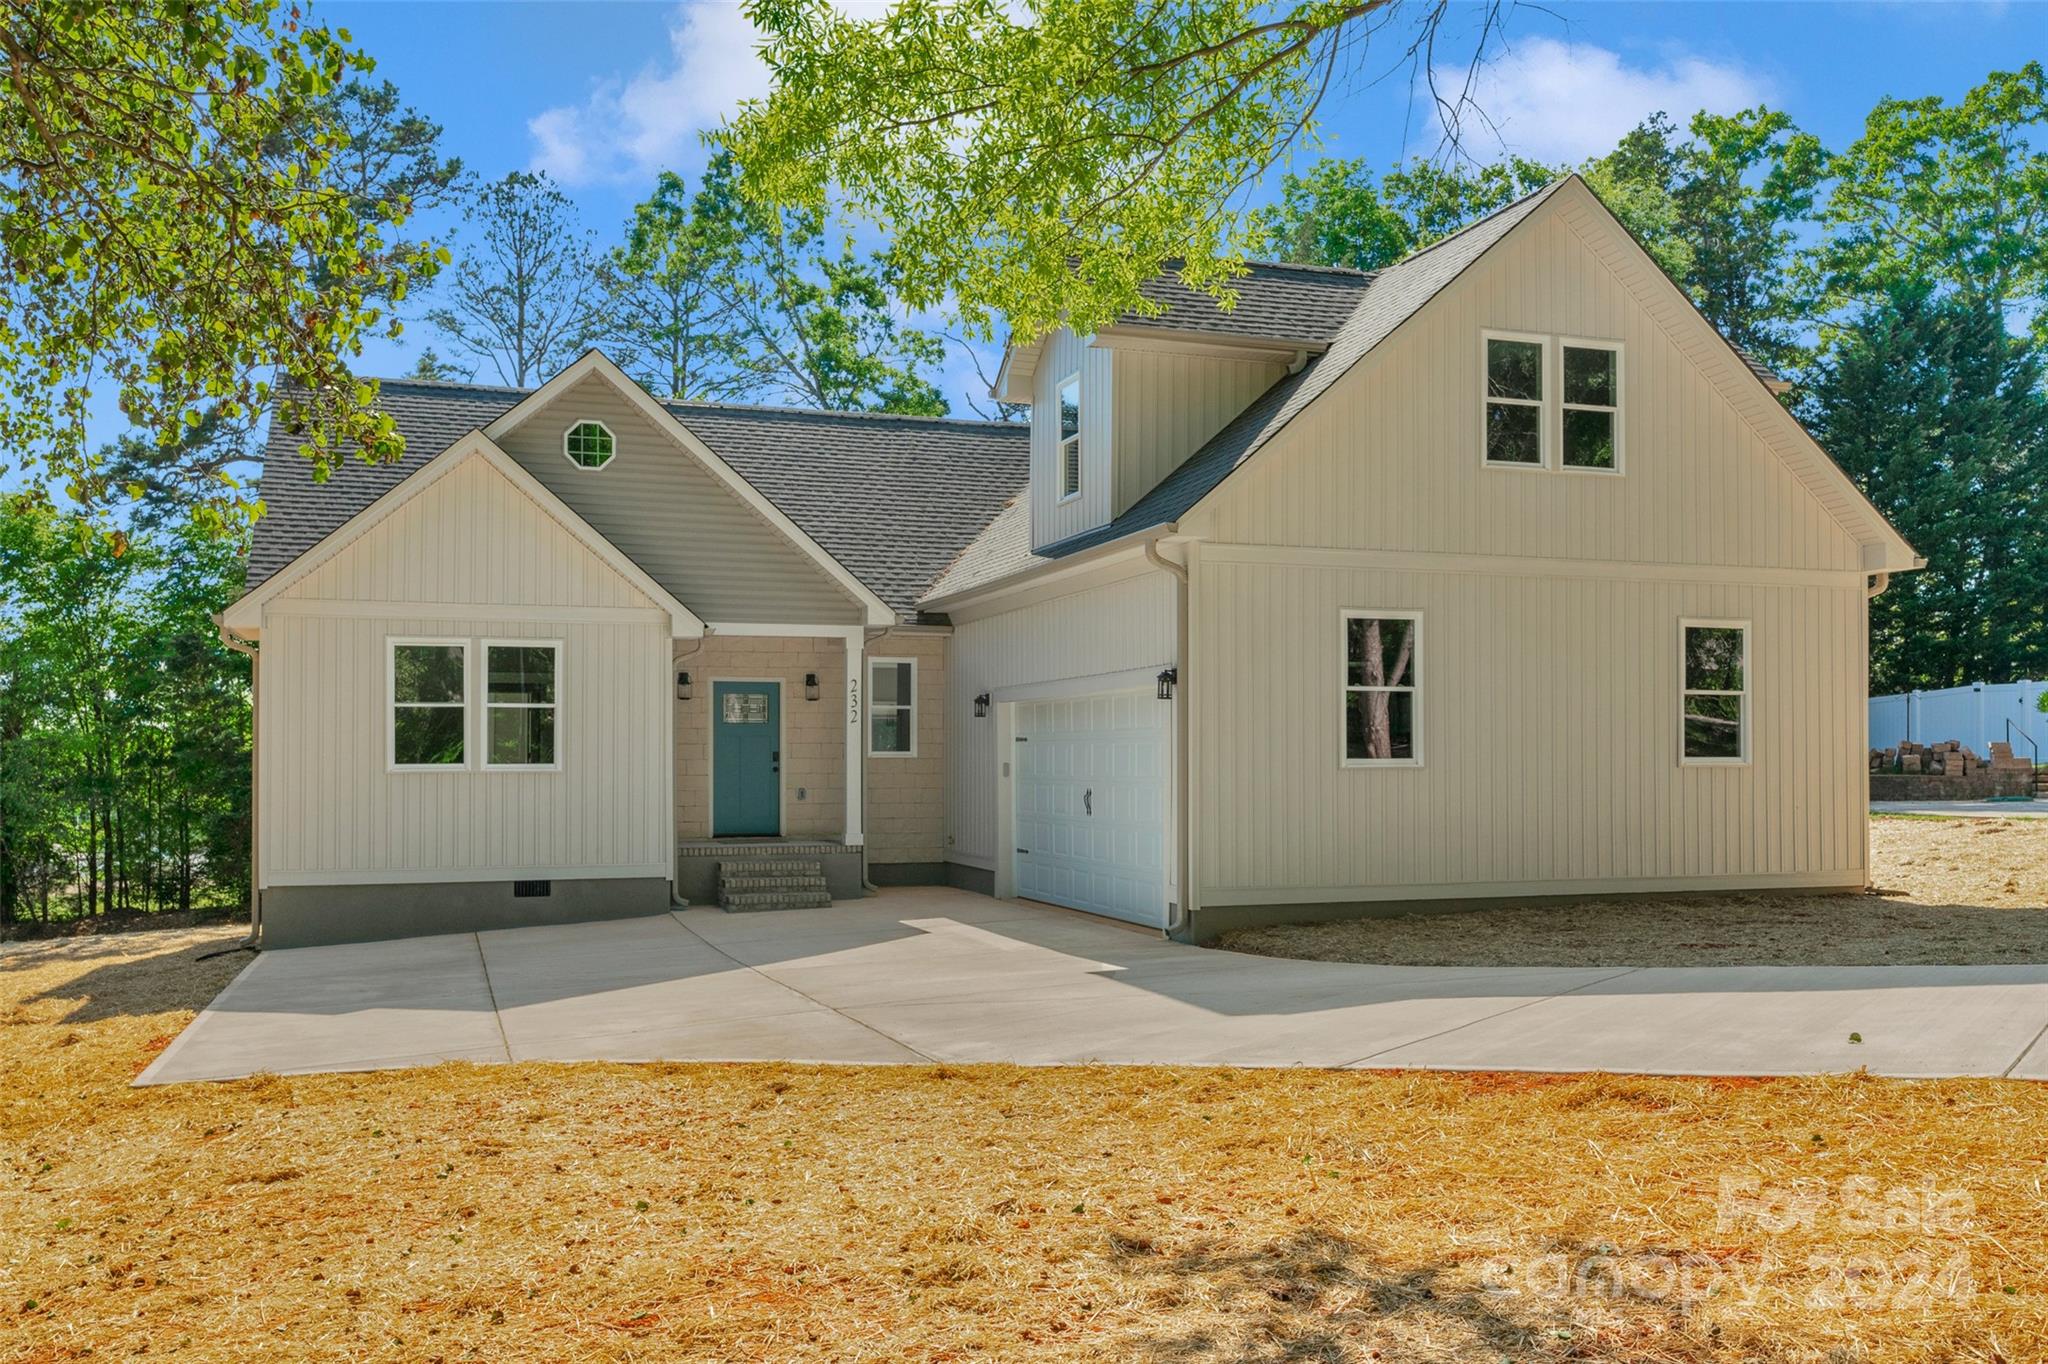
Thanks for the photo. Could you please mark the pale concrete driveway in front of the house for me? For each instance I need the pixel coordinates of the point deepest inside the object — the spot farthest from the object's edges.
(945, 976)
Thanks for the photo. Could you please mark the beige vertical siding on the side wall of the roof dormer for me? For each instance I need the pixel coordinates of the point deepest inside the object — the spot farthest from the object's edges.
(1168, 407)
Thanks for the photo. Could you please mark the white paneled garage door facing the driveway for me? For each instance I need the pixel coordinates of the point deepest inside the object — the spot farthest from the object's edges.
(1093, 804)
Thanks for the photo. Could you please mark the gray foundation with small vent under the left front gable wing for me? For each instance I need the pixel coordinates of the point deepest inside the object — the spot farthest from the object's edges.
(327, 914)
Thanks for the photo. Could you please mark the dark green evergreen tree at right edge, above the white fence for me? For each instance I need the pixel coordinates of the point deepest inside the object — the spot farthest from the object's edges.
(1940, 417)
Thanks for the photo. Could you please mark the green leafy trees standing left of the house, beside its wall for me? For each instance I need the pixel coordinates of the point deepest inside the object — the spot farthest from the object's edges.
(124, 720)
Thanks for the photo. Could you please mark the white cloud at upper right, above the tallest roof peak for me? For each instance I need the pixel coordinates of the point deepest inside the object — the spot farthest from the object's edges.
(1568, 101)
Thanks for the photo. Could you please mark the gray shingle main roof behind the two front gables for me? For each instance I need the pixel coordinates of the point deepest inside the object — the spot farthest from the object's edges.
(892, 499)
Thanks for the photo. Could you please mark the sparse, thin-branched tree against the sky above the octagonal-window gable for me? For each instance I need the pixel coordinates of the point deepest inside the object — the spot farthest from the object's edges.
(525, 298)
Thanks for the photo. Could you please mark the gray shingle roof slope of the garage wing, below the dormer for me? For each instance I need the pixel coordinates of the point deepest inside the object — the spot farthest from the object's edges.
(1394, 296)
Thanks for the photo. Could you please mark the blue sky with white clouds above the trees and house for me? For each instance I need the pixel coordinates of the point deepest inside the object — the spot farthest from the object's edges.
(603, 95)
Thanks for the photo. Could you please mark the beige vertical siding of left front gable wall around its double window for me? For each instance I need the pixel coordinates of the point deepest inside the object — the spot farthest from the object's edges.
(472, 558)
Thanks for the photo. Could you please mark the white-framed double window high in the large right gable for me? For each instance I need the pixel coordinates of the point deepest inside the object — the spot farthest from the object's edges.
(1553, 394)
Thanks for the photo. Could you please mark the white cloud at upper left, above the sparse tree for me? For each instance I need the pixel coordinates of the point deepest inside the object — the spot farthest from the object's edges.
(632, 128)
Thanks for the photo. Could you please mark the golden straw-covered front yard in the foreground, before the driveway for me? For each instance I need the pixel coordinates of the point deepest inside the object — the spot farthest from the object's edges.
(916, 1213)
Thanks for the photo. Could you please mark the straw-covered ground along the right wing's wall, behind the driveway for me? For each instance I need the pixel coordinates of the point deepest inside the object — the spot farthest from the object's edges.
(1947, 892)
